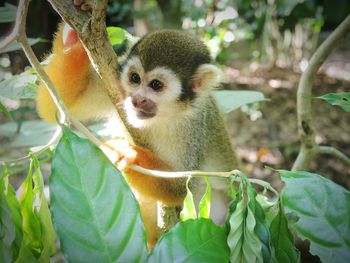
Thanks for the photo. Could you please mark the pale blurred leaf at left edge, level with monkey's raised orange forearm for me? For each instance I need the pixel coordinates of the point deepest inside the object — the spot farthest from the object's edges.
(21, 86)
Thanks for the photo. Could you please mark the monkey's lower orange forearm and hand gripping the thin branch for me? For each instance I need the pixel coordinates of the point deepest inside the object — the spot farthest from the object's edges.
(168, 191)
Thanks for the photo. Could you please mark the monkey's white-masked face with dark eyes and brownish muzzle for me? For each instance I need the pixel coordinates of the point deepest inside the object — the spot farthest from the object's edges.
(150, 96)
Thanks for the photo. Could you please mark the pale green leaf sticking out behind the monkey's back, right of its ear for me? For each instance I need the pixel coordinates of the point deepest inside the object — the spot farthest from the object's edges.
(229, 100)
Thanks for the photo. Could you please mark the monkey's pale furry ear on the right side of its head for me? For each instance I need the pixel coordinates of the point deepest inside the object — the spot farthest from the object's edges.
(207, 77)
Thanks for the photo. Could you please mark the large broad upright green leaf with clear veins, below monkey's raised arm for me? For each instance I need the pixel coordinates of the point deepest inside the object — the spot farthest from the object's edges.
(95, 213)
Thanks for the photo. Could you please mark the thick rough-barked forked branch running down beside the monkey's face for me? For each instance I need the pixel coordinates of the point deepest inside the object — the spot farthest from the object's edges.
(91, 29)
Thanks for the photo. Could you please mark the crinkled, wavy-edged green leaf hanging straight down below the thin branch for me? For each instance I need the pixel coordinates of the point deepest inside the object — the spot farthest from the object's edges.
(243, 241)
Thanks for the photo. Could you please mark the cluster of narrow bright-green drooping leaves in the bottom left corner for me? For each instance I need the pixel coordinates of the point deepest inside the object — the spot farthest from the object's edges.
(30, 236)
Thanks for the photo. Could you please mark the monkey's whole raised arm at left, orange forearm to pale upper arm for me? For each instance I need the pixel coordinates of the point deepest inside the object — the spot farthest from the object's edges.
(75, 80)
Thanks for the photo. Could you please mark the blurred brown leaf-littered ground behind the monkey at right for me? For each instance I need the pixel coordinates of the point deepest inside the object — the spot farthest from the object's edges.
(272, 139)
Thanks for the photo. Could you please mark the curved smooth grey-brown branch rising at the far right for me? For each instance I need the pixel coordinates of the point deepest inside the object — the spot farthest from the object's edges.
(304, 95)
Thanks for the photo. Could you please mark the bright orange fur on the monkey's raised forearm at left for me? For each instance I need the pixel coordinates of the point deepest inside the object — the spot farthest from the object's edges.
(69, 70)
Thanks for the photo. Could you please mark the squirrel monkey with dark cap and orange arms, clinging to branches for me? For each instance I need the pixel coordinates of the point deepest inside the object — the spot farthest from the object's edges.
(167, 76)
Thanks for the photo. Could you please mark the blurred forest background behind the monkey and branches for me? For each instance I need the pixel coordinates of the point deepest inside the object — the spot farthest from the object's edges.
(261, 45)
